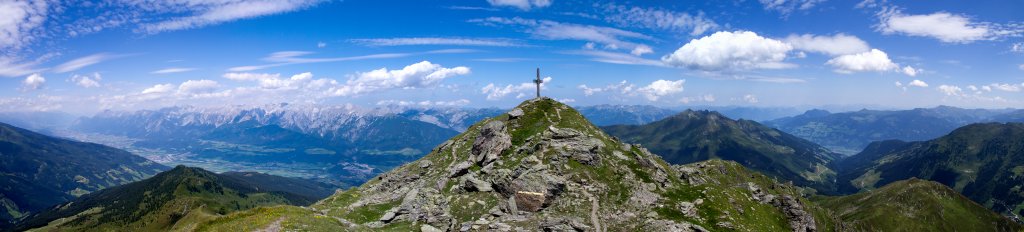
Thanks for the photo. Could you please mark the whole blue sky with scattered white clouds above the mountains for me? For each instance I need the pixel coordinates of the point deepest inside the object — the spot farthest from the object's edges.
(129, 55)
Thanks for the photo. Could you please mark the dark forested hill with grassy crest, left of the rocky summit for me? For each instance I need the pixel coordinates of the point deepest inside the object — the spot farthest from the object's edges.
(177, 200)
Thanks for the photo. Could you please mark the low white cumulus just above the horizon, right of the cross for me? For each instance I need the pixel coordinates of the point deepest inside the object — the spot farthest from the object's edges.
(653, 92)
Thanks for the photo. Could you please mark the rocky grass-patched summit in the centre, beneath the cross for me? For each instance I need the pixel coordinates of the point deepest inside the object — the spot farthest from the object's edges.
(542, 167)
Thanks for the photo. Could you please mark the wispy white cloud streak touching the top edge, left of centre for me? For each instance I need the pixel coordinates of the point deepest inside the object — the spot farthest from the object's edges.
(207, 13)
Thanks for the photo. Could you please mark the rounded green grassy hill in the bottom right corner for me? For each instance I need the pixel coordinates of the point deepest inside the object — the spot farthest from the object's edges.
(916, 206)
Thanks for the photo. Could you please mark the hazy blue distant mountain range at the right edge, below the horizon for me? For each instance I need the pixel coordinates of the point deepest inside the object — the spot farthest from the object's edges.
(848, 133)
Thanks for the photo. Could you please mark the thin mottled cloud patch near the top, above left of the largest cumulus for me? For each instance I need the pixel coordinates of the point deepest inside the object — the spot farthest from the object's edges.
(655, 19)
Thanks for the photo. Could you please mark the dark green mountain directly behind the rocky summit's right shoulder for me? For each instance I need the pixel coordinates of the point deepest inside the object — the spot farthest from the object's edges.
(696, 136)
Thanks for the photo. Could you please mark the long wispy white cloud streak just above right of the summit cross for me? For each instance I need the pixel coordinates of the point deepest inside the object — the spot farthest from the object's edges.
(611, 38)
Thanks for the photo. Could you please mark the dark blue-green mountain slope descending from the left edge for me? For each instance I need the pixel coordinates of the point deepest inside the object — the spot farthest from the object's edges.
(40, 171)
